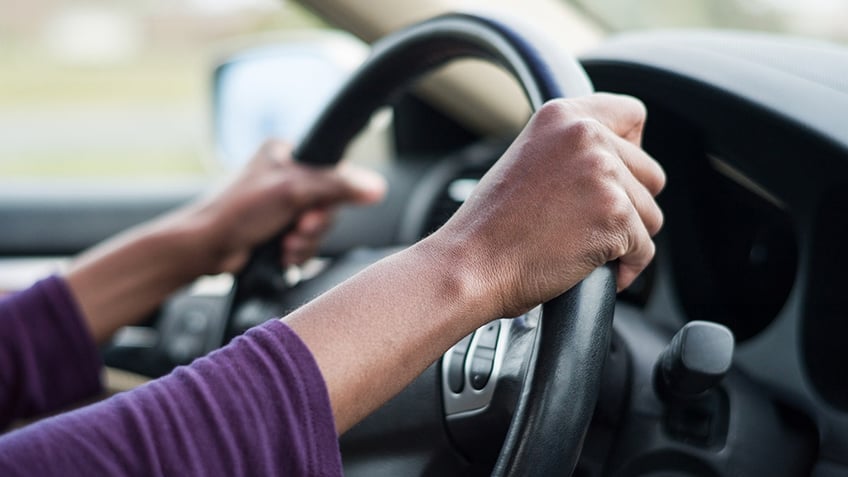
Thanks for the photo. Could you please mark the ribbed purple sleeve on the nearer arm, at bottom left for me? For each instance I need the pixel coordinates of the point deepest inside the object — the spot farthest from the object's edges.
(258, 406)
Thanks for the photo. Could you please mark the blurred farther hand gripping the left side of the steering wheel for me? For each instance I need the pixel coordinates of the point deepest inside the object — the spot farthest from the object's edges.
(274, 193)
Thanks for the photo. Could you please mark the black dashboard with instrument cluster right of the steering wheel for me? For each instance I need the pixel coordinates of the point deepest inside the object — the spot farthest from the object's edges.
(752, 133)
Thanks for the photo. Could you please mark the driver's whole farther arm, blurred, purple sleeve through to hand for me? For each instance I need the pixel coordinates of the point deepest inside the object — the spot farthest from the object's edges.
(47, 357)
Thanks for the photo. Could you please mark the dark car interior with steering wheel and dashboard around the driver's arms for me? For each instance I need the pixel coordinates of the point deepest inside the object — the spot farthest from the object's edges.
(722, 359)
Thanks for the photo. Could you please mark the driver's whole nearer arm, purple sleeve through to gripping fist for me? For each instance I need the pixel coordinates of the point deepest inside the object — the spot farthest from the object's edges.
(248, 409)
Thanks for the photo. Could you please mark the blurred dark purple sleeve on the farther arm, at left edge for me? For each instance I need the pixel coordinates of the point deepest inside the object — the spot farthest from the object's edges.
(48, 359)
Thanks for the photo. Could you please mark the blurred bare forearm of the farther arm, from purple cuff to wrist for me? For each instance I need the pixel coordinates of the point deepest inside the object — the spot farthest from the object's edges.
(120, 281)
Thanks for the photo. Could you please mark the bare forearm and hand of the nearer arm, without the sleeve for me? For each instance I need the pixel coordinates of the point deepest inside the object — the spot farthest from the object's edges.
(573, 192)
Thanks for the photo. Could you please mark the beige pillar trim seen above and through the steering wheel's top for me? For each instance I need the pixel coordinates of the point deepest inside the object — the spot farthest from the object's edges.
(482, 97)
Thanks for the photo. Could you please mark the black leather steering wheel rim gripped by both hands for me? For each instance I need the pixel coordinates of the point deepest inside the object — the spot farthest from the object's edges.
(561, 386)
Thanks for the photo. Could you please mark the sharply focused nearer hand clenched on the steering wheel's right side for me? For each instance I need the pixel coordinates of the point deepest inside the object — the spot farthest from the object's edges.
(574, 191)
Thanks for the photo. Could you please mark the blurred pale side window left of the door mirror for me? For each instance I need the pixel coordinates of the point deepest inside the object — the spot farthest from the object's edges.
(118, 89)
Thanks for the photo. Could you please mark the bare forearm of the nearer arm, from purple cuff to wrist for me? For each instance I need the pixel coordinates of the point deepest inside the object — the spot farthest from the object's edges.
(375, 333)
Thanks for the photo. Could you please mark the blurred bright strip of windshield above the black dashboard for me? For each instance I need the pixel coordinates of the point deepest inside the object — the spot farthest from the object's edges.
(819, 18)
